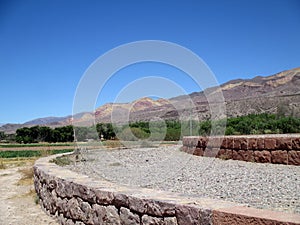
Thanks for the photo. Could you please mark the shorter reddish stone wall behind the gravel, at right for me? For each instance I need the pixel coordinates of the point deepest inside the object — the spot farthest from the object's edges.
(279, 149)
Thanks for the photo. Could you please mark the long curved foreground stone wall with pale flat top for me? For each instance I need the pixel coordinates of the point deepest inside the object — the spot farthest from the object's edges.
(77, 199)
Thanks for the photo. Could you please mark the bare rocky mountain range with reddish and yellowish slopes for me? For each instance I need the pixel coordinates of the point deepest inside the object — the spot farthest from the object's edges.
(278, 93)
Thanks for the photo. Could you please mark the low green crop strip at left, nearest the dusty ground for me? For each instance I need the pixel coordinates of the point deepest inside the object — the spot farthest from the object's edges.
(31, 153)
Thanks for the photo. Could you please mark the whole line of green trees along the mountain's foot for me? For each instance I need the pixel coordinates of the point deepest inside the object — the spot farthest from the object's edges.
(166, 130)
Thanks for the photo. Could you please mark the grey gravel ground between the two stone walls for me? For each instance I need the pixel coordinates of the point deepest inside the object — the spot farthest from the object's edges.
(259, 185)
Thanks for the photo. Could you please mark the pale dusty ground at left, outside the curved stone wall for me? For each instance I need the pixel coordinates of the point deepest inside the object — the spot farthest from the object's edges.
(17, 198)
